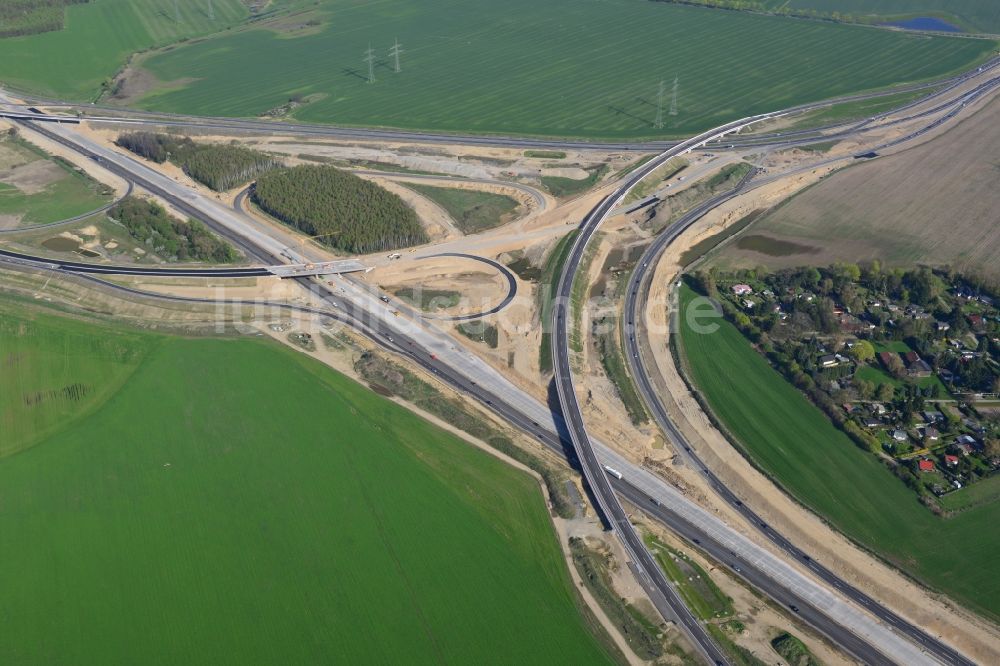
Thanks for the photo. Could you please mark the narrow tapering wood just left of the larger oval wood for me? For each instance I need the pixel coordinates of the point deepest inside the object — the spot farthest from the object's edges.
(218, 166)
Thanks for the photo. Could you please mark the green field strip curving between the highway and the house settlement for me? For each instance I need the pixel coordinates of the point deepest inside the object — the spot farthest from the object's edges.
(793, 441)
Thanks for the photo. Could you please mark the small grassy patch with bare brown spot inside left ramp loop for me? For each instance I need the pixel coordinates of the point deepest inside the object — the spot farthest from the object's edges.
(36, 188)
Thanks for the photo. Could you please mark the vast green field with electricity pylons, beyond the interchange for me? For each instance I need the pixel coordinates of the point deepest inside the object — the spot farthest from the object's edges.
(558, 68)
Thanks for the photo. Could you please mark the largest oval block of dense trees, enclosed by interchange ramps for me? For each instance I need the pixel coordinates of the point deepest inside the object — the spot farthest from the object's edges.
(344, 211)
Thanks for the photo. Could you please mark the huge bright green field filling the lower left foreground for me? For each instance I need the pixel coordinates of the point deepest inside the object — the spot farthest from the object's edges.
(227, 501)
